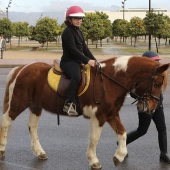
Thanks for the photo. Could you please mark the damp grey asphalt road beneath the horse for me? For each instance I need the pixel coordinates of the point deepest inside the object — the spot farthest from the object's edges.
(67, 143)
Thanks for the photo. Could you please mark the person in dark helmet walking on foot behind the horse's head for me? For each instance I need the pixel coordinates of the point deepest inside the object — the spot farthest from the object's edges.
(158, 118)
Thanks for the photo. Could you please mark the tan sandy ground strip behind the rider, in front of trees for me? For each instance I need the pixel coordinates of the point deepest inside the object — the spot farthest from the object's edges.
(15, 58)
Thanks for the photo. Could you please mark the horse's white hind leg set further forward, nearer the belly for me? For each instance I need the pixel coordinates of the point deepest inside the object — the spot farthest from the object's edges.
(33, 125)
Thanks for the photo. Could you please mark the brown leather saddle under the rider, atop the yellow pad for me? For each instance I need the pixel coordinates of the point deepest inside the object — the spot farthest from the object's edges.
(64, 80)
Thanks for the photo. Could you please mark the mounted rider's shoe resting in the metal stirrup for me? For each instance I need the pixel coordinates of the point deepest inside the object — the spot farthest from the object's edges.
(70, 109)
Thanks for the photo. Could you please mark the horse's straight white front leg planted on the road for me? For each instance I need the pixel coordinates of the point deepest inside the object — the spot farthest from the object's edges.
(94, 135)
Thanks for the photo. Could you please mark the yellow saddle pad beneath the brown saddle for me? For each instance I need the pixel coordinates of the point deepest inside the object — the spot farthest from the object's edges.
(53, 79)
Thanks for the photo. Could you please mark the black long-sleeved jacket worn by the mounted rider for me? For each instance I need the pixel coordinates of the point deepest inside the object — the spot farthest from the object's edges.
(74, 46)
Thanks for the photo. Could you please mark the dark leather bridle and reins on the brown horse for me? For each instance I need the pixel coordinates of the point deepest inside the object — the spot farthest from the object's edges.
(147, 93)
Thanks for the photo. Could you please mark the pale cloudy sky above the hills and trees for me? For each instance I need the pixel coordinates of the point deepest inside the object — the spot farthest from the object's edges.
(60, 5)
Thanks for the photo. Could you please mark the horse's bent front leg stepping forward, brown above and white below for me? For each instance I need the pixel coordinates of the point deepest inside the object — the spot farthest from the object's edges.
(121, 150)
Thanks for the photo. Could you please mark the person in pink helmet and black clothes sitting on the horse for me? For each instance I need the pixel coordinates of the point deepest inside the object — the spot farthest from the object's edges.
(75, 52)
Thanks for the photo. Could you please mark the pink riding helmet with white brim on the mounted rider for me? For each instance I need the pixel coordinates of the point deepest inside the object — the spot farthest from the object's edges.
(75, 11)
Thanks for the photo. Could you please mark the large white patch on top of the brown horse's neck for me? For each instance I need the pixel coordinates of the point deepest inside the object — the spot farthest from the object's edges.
(121, 63)
